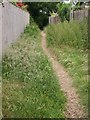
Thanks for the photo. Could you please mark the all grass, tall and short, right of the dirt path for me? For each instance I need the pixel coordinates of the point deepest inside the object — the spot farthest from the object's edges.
(68, 41)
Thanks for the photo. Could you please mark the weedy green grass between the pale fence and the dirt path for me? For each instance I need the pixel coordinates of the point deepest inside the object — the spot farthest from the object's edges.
(30, 88)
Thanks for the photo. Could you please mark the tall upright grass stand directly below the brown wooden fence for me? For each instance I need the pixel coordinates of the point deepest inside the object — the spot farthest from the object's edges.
(73, 34)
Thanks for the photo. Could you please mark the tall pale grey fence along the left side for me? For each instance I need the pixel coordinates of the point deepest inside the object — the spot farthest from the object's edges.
(13, 21)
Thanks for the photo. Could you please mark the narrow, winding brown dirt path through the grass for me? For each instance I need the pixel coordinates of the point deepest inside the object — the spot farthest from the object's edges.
(74, 110)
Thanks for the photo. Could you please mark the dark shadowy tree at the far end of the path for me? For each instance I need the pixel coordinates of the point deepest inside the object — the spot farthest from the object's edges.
(40, 12)
